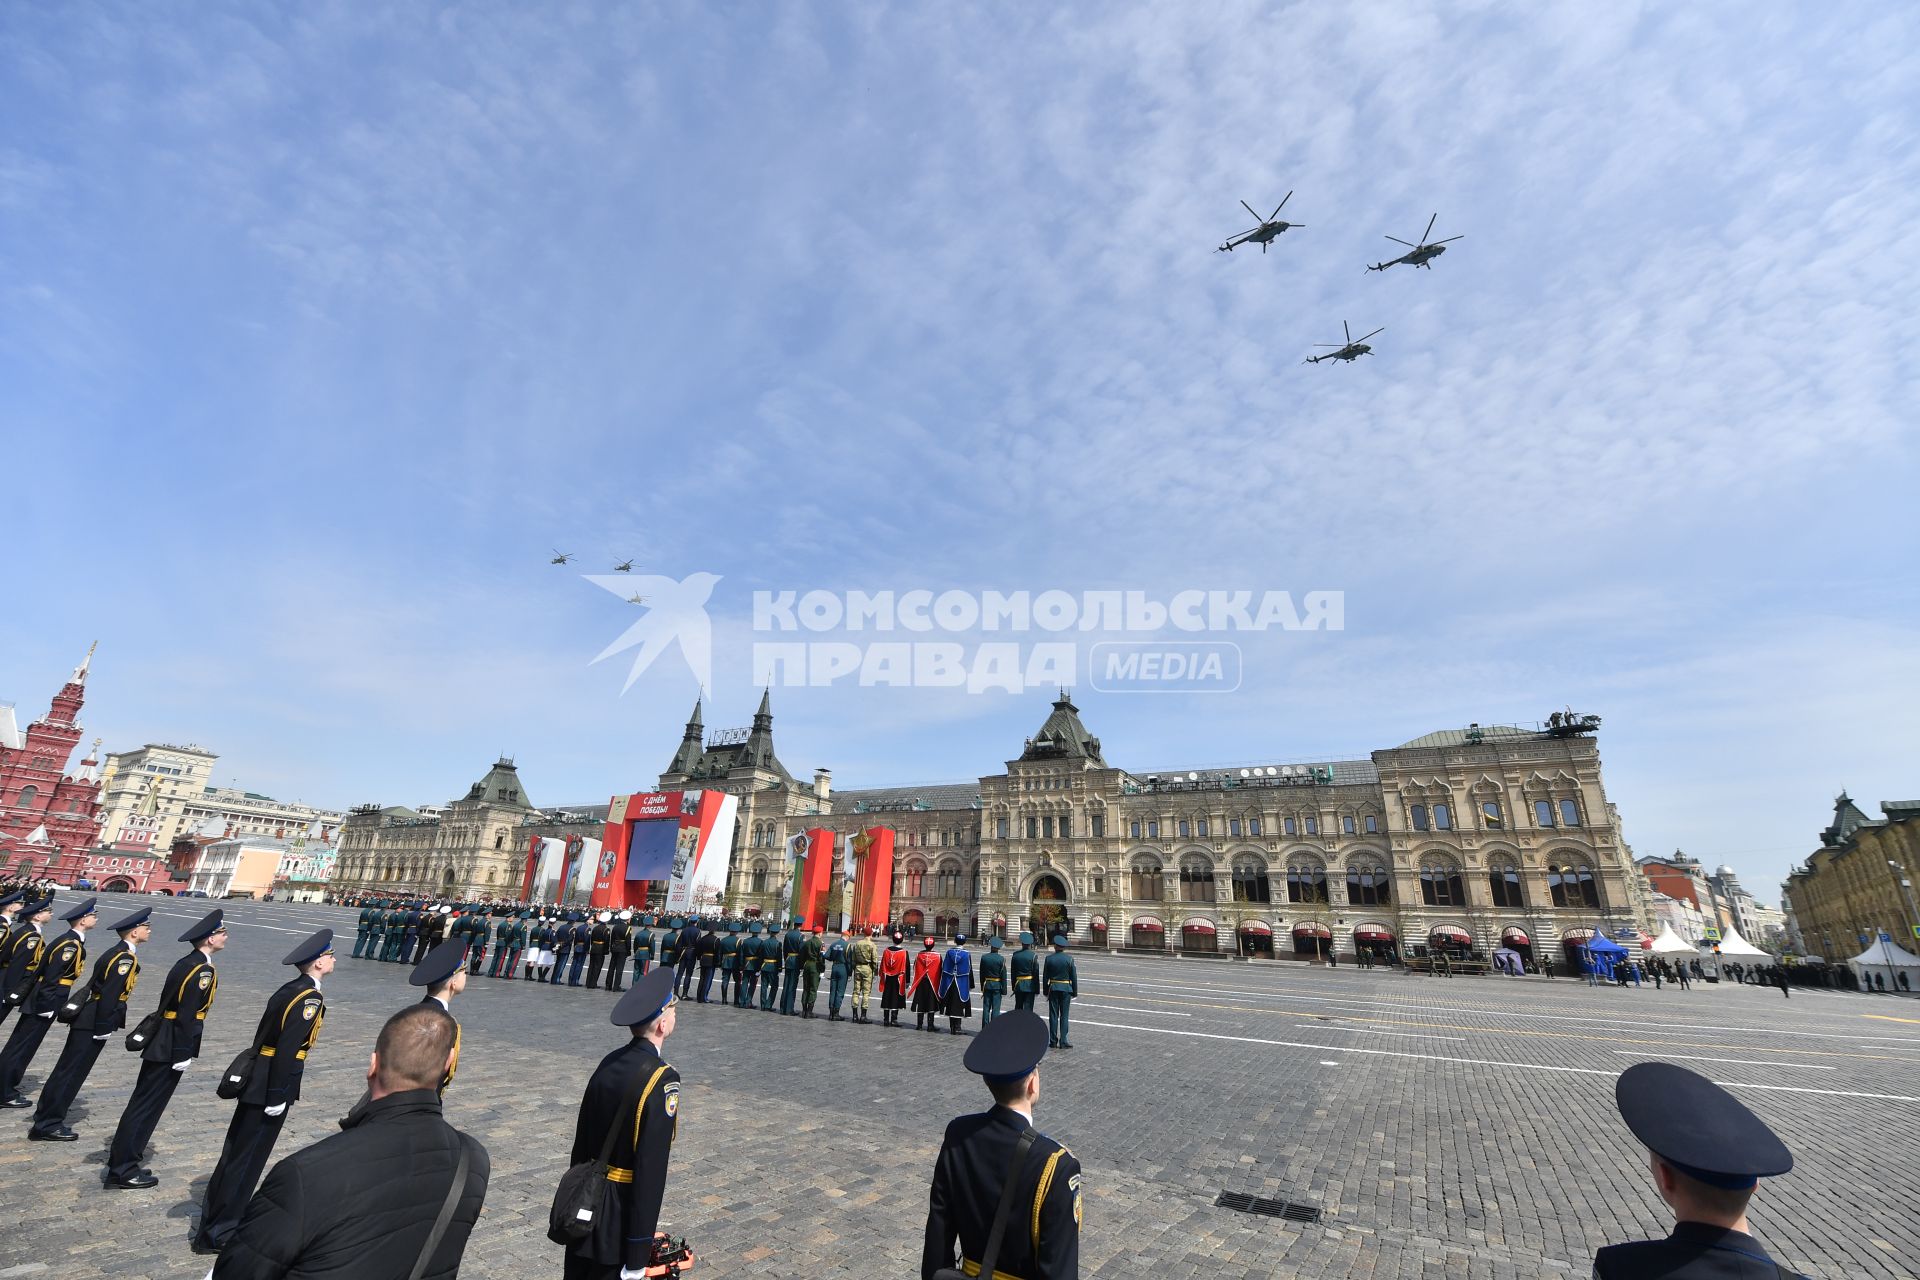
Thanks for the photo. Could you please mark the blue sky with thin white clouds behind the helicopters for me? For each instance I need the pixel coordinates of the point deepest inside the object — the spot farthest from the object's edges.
(325, 327)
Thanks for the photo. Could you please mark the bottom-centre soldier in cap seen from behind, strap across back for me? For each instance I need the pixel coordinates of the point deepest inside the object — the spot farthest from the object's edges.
(1042, 1239)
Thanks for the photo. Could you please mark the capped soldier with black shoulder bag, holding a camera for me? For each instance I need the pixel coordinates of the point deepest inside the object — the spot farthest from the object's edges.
(621, 1244)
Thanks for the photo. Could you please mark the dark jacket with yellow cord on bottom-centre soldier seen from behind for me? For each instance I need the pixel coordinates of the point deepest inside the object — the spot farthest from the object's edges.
(1042, 1239)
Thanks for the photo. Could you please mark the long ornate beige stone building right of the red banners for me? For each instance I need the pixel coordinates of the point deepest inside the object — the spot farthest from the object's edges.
(1479, 838)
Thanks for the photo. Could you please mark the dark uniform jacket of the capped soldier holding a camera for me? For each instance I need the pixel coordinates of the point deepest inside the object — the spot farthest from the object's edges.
(640, 1149)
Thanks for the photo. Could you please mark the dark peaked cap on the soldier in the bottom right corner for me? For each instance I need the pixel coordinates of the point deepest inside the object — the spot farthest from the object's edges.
(1698, 1127)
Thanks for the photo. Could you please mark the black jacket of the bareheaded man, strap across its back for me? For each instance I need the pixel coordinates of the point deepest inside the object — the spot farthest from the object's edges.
(360, 1204)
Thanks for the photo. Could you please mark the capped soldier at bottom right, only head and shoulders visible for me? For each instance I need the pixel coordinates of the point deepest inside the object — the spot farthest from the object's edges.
(1706, 1152)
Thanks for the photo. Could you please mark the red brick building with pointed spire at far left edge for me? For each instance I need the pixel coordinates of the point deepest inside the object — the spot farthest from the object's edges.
(49, 818)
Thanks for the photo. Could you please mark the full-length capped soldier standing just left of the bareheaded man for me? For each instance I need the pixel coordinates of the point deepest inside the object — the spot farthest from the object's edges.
(283, 1039)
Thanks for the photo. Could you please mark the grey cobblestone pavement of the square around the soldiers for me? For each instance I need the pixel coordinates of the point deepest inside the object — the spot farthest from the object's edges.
(1445, 1127)
